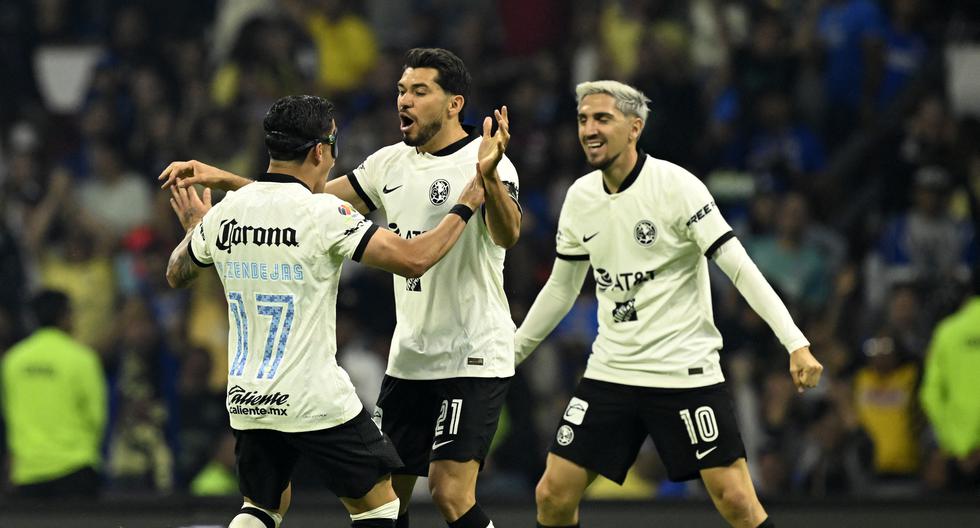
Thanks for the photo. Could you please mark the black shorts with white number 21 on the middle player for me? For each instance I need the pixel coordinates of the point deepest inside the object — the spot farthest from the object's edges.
(447, 419)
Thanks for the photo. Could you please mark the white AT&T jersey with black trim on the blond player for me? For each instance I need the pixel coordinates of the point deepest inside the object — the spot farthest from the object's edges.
(647, 245)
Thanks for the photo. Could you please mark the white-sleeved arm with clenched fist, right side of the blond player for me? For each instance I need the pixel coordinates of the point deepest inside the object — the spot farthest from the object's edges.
(732, 258)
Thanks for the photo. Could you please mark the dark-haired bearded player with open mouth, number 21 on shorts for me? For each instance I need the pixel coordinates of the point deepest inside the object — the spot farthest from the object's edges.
(452, 352)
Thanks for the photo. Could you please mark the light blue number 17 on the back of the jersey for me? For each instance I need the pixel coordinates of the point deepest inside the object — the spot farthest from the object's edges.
(281, 309)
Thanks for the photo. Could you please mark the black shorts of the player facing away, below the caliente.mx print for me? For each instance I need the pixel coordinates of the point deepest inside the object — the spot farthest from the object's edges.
(350, 457)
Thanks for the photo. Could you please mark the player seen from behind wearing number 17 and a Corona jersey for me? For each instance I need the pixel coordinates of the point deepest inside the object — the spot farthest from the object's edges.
(278, 250)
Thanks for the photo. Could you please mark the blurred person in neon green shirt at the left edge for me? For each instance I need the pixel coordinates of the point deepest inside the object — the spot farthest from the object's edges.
(53, 393)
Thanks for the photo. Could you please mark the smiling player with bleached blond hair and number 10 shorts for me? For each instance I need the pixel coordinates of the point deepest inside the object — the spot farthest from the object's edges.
(647, 227)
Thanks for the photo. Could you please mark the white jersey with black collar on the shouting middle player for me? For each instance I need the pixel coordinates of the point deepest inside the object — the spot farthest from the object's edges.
(454, 321)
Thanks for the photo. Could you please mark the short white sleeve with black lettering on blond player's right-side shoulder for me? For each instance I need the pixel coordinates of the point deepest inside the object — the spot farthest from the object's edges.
(700, 220)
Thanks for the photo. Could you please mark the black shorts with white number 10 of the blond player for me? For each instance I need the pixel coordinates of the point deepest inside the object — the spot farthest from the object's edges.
(605, 424)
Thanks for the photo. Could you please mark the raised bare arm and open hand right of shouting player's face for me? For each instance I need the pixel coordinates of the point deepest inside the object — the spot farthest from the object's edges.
(503, 214)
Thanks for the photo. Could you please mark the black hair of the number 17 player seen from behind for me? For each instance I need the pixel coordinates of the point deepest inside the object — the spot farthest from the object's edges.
(295, 124)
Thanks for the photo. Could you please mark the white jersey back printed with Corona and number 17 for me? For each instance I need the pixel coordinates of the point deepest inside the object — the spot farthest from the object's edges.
(278, 250)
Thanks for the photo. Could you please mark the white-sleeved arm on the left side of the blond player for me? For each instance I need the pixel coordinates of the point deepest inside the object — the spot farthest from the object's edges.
(550, 306)
